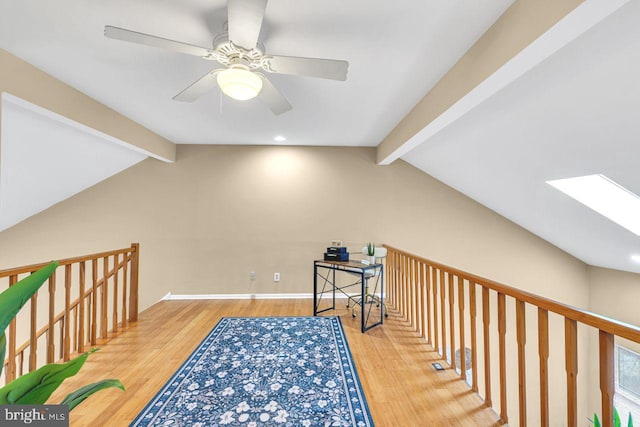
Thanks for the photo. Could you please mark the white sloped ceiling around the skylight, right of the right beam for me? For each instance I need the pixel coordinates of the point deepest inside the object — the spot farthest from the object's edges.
(574, 114)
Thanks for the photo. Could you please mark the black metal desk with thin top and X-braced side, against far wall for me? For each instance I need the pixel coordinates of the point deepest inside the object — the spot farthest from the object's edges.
(367, 279)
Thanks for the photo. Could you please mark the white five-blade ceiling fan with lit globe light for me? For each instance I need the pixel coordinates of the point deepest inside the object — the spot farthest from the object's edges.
(243, 58)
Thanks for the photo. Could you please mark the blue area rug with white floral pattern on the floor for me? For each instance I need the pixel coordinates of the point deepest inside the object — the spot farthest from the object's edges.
(273, 371)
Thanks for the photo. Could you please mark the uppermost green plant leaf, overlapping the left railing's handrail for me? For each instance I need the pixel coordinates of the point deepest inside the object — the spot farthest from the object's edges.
(13, 298)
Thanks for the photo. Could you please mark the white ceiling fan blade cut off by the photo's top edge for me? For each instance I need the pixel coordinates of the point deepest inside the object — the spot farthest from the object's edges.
(245, 19)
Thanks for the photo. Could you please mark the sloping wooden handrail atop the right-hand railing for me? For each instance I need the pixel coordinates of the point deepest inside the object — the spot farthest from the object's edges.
(612, 326)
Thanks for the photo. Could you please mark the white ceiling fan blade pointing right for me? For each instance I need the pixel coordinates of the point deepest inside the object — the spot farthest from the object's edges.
(314, 67)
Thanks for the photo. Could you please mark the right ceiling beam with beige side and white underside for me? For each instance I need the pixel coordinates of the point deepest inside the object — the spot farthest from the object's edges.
(525, 35)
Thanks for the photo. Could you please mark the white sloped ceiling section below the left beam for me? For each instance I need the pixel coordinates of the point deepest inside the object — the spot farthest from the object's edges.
(46, 158)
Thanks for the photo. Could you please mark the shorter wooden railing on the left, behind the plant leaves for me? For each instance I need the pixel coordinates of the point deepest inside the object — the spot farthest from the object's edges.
(99, 296)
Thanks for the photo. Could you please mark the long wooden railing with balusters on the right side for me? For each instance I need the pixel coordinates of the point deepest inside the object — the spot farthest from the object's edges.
(420, 290)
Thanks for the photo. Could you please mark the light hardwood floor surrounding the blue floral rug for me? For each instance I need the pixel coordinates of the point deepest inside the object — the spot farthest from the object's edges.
(393, 363)
